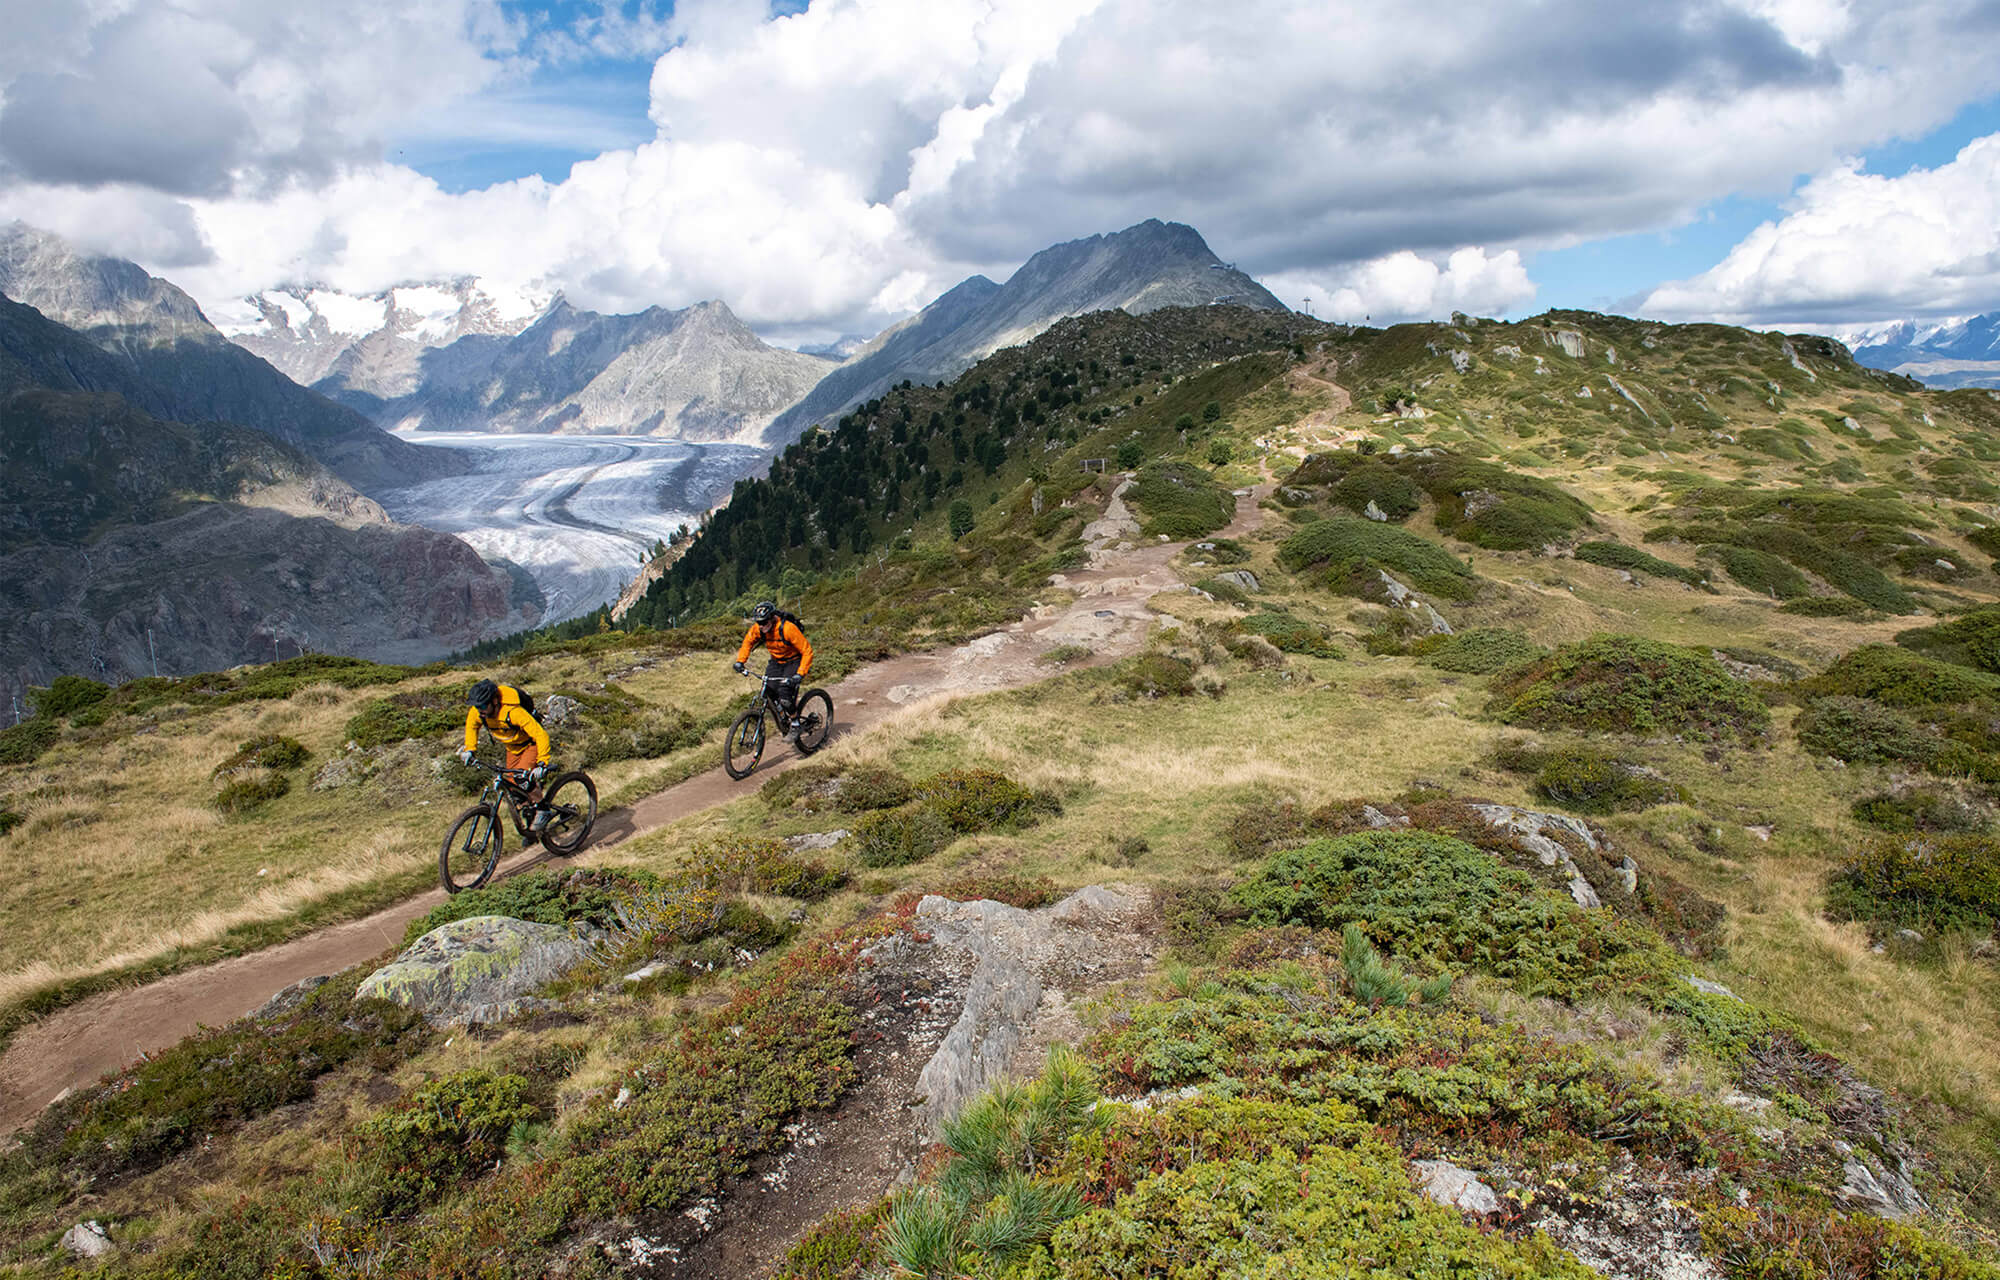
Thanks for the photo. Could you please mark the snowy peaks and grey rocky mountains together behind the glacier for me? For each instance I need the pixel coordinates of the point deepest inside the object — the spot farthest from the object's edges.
(463, 359)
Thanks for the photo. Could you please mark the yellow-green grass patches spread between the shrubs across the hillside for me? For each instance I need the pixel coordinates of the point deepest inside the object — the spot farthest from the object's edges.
(1151, 787)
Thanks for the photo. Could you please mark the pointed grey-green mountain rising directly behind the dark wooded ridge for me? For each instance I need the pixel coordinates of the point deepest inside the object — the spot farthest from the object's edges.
(1137, 271)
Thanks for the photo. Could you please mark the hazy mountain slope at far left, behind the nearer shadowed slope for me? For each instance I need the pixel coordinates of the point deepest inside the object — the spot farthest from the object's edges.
(197, 375)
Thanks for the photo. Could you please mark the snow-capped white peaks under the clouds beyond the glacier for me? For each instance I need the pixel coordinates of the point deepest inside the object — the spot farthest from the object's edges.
(373, 345)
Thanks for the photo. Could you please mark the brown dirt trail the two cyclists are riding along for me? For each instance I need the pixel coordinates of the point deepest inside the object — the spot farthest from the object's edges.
(1109, 615)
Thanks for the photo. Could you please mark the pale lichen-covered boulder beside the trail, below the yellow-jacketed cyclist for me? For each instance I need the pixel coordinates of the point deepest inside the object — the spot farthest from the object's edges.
(481, 969)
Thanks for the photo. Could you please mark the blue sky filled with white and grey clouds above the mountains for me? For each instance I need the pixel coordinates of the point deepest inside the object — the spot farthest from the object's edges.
(829, 167)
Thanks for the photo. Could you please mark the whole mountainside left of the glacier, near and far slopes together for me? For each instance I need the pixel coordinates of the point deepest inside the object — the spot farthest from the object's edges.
(165, 503)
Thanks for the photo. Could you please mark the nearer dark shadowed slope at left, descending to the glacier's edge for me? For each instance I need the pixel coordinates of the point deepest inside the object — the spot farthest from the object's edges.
(133, 543)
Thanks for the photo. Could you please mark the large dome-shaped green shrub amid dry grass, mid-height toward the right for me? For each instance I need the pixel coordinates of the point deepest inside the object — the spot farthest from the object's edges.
(1631, 685)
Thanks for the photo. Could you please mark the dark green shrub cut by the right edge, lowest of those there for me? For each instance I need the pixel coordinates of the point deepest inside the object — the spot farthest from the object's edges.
(1921, 883)
